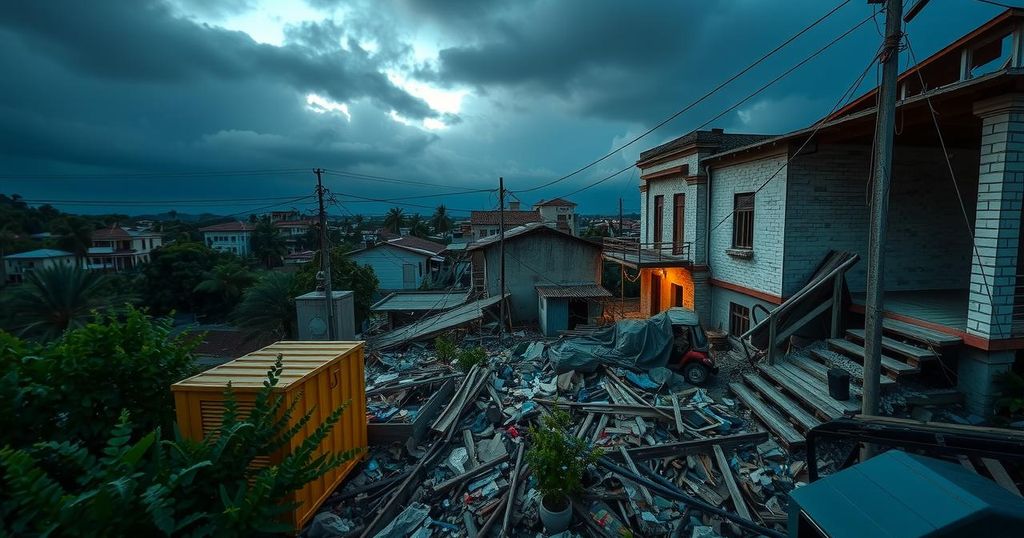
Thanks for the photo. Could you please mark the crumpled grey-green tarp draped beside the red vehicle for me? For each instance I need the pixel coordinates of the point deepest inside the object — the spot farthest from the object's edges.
(637, 345)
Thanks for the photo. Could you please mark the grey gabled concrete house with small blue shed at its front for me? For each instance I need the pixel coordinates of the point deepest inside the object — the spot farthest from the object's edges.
(552, 277)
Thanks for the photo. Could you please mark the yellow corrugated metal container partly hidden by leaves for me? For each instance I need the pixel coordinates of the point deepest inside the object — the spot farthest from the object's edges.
(322, 376)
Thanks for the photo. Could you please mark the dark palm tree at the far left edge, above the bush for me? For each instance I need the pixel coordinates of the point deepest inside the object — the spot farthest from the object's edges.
(54, 300)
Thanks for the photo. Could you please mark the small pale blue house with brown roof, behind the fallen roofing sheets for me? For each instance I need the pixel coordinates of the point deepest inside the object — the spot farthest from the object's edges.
(401, 263)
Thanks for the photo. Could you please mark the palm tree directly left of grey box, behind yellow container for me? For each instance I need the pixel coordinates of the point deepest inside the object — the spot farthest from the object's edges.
(269, 306)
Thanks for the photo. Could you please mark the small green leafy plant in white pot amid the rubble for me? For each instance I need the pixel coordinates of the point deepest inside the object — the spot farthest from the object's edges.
(559, 460)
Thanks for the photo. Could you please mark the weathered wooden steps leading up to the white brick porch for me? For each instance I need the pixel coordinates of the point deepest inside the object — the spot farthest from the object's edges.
(791, 396)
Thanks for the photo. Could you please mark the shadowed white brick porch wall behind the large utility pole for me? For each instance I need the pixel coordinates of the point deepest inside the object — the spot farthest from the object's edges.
(927, 246)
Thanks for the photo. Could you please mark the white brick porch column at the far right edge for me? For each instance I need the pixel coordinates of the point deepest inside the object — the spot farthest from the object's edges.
(998, 234)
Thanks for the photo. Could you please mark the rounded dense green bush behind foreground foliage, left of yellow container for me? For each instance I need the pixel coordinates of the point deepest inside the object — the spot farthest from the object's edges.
(76, 388)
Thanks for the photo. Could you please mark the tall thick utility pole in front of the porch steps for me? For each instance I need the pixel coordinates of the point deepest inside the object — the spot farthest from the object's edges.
(881, 181)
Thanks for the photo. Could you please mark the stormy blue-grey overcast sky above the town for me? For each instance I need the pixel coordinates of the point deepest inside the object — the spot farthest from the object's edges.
(110, 97)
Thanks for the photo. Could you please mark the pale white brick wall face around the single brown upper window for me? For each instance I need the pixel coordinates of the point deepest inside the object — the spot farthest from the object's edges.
(764, 271)
